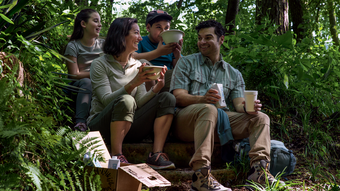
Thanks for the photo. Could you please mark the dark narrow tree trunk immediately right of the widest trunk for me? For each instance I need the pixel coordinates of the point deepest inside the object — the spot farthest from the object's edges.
(297, 11)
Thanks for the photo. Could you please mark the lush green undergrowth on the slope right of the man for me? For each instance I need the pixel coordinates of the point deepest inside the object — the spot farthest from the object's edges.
(298, 83)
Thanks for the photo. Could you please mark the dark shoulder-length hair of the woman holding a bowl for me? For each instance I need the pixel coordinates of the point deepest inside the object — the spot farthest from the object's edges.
(115, 40)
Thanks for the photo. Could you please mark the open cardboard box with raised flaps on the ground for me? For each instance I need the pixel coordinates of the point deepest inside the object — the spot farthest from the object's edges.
(127, 177)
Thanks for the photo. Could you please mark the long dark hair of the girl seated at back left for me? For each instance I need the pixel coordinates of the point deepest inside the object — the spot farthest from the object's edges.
(83, 15)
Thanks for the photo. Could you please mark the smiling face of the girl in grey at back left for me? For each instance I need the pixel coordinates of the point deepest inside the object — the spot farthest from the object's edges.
(93, 26)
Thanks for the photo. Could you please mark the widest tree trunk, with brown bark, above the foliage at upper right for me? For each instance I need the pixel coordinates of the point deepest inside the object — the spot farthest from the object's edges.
(277, 10)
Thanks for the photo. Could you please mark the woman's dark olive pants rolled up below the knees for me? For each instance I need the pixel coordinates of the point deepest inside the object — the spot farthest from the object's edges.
(124, 109)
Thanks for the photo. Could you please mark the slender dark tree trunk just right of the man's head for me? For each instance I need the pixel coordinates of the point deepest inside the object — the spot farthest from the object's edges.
(233, 6)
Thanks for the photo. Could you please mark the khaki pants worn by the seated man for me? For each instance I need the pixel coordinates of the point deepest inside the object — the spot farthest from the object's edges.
(197, 123)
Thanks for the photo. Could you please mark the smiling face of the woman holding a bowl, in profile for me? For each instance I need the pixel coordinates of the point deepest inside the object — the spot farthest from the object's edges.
(133, 38)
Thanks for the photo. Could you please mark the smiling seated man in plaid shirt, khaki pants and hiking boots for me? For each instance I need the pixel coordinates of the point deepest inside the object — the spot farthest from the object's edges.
(196, 115)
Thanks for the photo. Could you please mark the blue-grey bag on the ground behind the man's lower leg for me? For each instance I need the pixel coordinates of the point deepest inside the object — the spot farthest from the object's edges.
(281, 157)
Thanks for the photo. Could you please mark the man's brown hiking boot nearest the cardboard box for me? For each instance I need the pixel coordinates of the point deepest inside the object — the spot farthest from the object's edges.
(203, 180)
